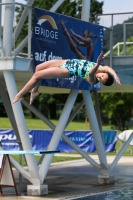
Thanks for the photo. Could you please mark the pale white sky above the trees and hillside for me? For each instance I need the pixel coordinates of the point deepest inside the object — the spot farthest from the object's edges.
(110, 6)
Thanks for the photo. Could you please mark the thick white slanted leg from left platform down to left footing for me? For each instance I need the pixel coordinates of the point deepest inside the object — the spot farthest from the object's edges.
(20, 120)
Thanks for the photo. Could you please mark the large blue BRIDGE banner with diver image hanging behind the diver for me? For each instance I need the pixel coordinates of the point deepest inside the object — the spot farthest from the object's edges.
(56, 36)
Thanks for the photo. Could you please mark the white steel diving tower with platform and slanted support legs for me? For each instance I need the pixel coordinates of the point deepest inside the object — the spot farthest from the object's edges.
(15, 72)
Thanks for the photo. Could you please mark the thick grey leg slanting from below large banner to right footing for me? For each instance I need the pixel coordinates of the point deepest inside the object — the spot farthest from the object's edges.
(96, 133)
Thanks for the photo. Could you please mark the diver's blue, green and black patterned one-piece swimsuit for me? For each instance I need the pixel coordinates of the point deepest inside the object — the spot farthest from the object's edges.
(78, 67)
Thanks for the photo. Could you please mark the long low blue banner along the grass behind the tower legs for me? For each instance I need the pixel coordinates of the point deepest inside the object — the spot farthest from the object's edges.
(40, 140)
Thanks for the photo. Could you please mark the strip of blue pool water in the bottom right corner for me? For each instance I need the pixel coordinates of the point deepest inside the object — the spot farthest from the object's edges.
(123, 194)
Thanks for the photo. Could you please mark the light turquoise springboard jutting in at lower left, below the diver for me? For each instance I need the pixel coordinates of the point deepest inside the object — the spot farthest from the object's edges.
(29, 152)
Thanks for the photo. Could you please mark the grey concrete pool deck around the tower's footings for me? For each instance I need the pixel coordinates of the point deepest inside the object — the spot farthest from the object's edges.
(76, 178)
